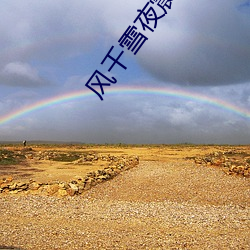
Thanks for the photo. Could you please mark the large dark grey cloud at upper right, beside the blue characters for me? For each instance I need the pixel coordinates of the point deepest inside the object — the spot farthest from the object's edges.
(201, 43)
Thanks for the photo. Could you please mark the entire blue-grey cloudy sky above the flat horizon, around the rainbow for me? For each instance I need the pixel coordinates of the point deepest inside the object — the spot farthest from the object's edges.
(51, 48)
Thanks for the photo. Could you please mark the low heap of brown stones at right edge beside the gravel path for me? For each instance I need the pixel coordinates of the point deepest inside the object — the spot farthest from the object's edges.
(233, 163)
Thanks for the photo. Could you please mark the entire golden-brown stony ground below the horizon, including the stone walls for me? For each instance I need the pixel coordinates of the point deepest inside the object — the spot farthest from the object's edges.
(102, 197)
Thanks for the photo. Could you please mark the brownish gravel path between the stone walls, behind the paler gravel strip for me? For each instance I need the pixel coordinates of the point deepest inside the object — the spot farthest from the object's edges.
(177, 181)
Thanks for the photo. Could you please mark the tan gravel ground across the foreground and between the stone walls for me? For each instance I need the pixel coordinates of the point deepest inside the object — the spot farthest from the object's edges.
(158, 205)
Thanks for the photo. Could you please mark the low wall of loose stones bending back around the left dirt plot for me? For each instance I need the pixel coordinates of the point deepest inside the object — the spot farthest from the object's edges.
(77, 186)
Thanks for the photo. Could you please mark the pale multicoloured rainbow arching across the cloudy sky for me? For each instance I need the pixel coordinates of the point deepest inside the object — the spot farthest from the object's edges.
(125, 91)
